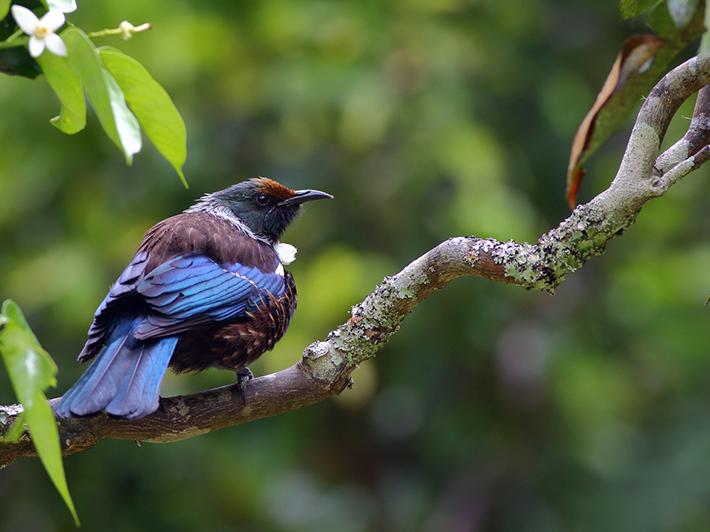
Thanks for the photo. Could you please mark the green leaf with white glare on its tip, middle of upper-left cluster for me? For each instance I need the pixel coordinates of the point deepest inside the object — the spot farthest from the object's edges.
(104, 94)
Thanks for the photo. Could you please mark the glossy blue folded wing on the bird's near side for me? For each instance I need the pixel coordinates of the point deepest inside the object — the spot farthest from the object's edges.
(185, 292)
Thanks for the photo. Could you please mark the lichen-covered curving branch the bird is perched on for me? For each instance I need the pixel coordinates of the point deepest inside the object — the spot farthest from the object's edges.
(326, 366)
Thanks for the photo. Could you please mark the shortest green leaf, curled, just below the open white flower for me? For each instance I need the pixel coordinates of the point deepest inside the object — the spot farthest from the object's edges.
(67, 86)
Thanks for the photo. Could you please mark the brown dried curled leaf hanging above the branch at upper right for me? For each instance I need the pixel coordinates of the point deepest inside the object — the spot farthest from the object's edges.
(634, 59)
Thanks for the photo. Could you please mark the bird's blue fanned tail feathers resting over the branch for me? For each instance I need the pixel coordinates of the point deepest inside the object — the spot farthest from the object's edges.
(124, 379)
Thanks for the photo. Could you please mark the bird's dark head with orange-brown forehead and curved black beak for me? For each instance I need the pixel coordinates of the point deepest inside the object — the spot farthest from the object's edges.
(263, 205)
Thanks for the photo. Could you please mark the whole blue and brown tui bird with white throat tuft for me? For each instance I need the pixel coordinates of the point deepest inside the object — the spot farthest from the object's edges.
(206, 288)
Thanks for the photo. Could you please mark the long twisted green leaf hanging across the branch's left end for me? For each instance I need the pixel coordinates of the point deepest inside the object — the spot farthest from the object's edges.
(31, 371)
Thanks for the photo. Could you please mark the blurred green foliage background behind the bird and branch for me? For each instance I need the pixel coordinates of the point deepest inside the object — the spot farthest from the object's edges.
(494, 408)
